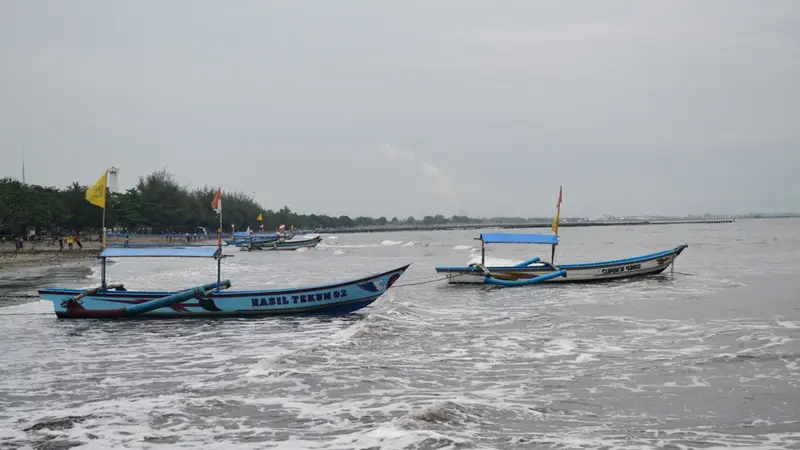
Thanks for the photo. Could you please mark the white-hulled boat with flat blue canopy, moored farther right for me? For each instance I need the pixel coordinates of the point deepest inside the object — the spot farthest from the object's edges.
(535, 271)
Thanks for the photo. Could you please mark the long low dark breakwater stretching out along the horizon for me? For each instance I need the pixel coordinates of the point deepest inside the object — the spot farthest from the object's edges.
(507, 225)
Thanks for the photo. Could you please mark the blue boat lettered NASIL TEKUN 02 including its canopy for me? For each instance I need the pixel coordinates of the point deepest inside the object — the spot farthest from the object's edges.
(114, 301)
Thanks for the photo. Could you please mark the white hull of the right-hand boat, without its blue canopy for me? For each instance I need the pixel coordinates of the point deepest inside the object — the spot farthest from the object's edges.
(638, 266)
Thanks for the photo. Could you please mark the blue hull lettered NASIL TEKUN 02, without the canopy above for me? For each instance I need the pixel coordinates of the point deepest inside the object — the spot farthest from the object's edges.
(329, 299)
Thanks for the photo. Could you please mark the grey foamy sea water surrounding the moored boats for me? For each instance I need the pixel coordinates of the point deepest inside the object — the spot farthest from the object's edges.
(707, 357)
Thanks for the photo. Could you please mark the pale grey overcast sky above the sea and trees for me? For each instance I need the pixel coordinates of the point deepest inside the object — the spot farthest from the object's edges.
(414, 107)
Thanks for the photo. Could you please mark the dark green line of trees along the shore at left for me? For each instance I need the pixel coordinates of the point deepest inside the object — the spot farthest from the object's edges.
(159, 204)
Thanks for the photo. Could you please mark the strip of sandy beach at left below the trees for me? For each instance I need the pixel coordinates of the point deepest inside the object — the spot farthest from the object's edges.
(43, 254)
